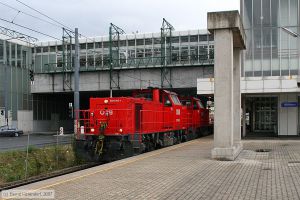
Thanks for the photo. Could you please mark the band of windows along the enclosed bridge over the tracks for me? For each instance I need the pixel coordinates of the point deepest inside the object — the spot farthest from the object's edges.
(187, 48)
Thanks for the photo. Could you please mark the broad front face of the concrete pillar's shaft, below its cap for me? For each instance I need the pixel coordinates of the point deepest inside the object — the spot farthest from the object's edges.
(223, 121)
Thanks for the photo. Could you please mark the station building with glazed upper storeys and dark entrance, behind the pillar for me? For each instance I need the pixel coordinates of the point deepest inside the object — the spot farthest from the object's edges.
(270, 68)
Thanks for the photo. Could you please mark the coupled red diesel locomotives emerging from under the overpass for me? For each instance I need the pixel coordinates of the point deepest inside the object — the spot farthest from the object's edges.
(152, 118)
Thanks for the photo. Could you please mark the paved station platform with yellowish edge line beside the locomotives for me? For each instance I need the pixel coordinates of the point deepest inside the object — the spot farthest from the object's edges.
(186, 171)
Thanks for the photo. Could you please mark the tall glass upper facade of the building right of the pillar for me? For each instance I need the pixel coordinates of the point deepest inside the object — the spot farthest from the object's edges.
(271, 49)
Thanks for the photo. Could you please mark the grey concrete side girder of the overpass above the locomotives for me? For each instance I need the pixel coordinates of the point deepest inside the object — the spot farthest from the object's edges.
(179, 77)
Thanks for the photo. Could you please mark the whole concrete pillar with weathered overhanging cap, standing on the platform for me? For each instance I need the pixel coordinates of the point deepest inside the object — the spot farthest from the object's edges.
(229, 40)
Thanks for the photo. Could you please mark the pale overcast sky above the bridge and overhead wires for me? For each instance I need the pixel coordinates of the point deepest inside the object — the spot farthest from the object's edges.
(92, 17)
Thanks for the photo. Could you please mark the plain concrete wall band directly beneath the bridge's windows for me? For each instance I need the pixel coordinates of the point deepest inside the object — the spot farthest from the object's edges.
(181, 77)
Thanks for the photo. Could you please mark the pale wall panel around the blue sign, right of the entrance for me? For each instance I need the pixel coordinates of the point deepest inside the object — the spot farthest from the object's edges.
(288, 121)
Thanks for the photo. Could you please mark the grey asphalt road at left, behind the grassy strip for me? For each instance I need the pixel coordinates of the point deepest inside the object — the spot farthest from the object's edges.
(13, 143)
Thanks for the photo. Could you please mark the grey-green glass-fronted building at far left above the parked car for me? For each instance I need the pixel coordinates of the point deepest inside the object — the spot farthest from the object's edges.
(17, 57)
